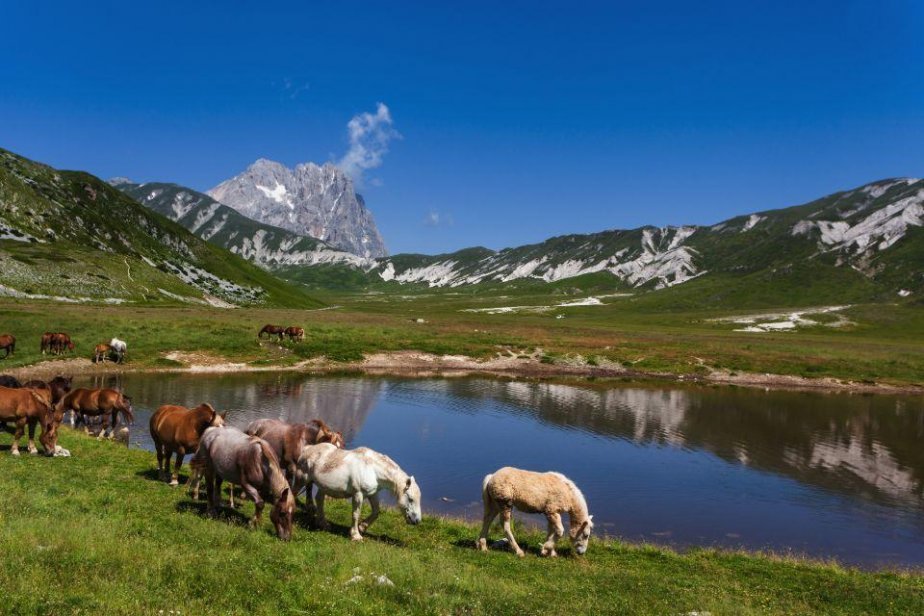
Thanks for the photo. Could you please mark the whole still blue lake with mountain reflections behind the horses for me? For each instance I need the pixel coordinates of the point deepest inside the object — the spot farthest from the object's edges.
(828, 475)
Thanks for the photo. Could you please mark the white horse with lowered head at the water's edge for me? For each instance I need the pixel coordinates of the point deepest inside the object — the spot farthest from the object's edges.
(357, 474)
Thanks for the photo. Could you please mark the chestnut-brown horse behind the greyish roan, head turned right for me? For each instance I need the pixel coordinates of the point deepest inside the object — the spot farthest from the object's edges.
(177, 429)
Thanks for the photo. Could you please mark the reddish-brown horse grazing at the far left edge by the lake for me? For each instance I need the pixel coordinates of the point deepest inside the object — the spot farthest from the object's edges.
(27, 406)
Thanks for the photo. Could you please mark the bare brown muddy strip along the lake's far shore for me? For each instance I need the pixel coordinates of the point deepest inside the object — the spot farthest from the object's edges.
(413, 364)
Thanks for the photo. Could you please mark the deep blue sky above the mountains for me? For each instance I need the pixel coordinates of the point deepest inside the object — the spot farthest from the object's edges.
(518, 120)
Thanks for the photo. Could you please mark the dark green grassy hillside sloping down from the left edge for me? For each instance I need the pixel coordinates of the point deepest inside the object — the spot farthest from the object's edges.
(83, 214)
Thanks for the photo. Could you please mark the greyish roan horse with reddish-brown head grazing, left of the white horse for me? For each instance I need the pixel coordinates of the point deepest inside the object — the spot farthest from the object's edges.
(230, 455)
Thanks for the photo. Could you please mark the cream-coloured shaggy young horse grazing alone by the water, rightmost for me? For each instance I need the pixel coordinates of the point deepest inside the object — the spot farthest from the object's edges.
(530, 492)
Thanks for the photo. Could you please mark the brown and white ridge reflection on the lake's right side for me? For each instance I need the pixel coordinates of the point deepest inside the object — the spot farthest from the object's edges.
(868, 445)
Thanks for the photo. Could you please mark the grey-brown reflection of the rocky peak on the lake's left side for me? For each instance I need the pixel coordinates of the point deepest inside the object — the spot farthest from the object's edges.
(344, 403)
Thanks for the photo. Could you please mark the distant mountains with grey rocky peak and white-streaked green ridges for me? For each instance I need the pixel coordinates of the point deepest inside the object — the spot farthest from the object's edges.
(861, 244)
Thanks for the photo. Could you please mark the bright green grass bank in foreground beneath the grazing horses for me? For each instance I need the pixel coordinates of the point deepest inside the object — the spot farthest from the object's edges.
(96, 533)
